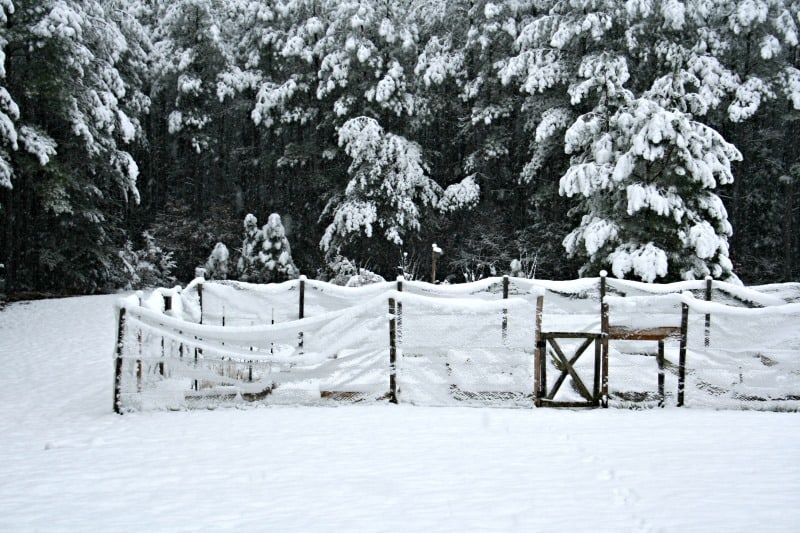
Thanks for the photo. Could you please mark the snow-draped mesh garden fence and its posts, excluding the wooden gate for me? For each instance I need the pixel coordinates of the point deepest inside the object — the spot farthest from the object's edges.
(309, 342)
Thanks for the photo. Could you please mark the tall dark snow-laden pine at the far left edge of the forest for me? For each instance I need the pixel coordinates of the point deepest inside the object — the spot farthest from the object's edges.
(73, 172)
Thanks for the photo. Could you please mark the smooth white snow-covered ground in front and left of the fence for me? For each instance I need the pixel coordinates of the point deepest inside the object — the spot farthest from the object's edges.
(67, 463)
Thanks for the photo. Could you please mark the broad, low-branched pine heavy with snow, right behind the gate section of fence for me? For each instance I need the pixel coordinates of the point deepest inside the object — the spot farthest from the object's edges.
(646, 179)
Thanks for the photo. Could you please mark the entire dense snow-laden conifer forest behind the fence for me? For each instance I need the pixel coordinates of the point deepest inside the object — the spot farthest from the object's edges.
(140, 139)
